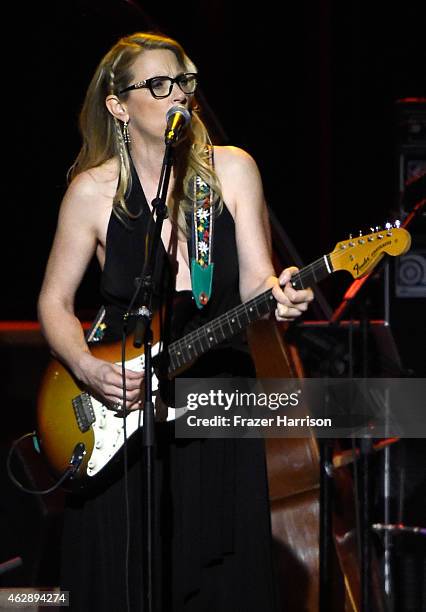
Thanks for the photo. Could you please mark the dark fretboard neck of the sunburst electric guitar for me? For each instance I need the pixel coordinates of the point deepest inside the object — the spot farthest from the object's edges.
(196, 343)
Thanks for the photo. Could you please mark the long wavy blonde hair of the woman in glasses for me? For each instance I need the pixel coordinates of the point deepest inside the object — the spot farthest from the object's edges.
(102, 135)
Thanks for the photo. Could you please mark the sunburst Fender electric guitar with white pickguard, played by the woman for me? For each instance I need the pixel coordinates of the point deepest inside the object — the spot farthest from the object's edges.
(76, 432)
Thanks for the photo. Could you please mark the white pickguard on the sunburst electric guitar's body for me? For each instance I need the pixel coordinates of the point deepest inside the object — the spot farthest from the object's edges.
(108, 429)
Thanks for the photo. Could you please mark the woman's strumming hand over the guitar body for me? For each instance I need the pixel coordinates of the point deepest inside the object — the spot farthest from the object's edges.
(105, 380)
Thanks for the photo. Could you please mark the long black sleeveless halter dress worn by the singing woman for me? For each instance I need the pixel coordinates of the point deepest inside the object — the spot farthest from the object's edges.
(213, 547)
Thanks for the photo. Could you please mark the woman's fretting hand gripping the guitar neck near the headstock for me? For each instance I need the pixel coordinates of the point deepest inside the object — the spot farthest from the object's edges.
(291, 302)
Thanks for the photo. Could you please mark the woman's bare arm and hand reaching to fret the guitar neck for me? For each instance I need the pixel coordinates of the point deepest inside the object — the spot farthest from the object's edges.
(242, 187)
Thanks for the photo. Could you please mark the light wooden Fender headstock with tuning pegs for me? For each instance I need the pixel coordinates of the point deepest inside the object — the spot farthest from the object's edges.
(361, 254)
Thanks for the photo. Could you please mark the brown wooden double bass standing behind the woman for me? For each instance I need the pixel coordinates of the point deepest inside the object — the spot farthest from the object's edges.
(295, 490)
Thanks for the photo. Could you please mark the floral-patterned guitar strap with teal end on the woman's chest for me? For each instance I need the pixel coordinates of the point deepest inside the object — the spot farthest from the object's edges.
(202, 265)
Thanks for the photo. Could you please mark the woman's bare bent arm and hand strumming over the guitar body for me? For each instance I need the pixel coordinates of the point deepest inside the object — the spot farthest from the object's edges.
(74, 245)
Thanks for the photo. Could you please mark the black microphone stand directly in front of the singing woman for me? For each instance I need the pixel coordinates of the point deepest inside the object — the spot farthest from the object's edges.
(143, 335)
